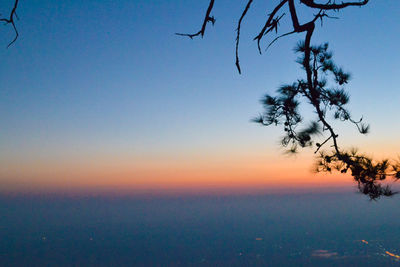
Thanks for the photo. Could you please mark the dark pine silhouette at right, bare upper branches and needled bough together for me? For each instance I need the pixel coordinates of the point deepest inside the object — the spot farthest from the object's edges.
(323, 88)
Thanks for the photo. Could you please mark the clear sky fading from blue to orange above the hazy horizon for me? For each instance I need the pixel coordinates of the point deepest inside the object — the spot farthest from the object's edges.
(101, 96)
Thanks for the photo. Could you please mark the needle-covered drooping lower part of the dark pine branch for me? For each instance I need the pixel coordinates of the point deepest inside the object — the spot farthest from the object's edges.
(324, 90)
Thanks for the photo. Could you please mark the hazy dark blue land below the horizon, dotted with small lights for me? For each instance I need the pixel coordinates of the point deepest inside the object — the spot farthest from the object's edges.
(321, 229)
